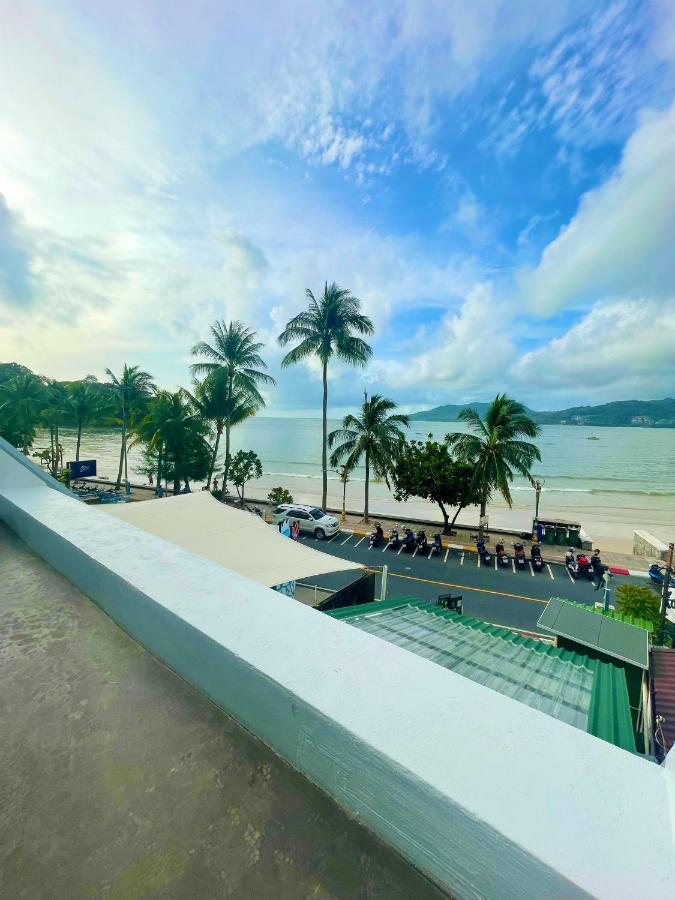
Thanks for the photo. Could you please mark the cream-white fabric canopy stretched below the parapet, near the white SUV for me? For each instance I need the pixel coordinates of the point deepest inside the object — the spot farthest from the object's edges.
(234, 538)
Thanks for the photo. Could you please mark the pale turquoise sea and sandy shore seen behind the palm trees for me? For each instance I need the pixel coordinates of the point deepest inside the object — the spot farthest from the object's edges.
(622, 481)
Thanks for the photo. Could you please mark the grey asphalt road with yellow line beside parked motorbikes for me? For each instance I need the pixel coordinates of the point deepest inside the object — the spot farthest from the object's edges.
(507, 597)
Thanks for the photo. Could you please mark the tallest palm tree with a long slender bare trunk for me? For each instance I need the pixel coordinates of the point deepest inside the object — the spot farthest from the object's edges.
(325, 329)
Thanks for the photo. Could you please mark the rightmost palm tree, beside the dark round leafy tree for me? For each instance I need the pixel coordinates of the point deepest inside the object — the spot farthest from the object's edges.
(495, 448)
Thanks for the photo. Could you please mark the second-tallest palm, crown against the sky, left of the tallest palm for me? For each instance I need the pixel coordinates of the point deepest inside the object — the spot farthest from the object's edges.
(235, 351)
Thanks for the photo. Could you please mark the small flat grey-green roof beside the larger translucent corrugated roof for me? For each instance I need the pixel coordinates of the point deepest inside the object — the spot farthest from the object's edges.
(609, 635)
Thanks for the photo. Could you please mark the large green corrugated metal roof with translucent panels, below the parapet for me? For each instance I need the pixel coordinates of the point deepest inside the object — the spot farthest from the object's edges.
(586, 693)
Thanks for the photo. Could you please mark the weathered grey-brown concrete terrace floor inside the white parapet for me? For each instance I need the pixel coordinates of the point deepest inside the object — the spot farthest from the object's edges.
(118, 780)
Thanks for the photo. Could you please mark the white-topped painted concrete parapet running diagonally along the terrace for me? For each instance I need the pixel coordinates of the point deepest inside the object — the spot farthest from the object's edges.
(487, 796)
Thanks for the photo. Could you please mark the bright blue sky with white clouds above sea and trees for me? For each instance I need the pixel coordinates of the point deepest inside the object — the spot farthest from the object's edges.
(495, 180)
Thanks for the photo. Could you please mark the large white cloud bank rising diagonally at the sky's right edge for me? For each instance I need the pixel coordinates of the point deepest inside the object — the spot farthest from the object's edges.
(621, 239)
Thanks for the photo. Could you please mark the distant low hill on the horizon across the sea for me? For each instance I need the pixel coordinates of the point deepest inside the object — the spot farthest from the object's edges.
(626, 413)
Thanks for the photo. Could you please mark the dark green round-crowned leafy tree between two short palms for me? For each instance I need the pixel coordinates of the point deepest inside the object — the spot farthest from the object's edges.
(426, 469)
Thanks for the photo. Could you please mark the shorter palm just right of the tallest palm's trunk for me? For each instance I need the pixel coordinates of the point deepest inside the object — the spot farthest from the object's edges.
(375, 436)
